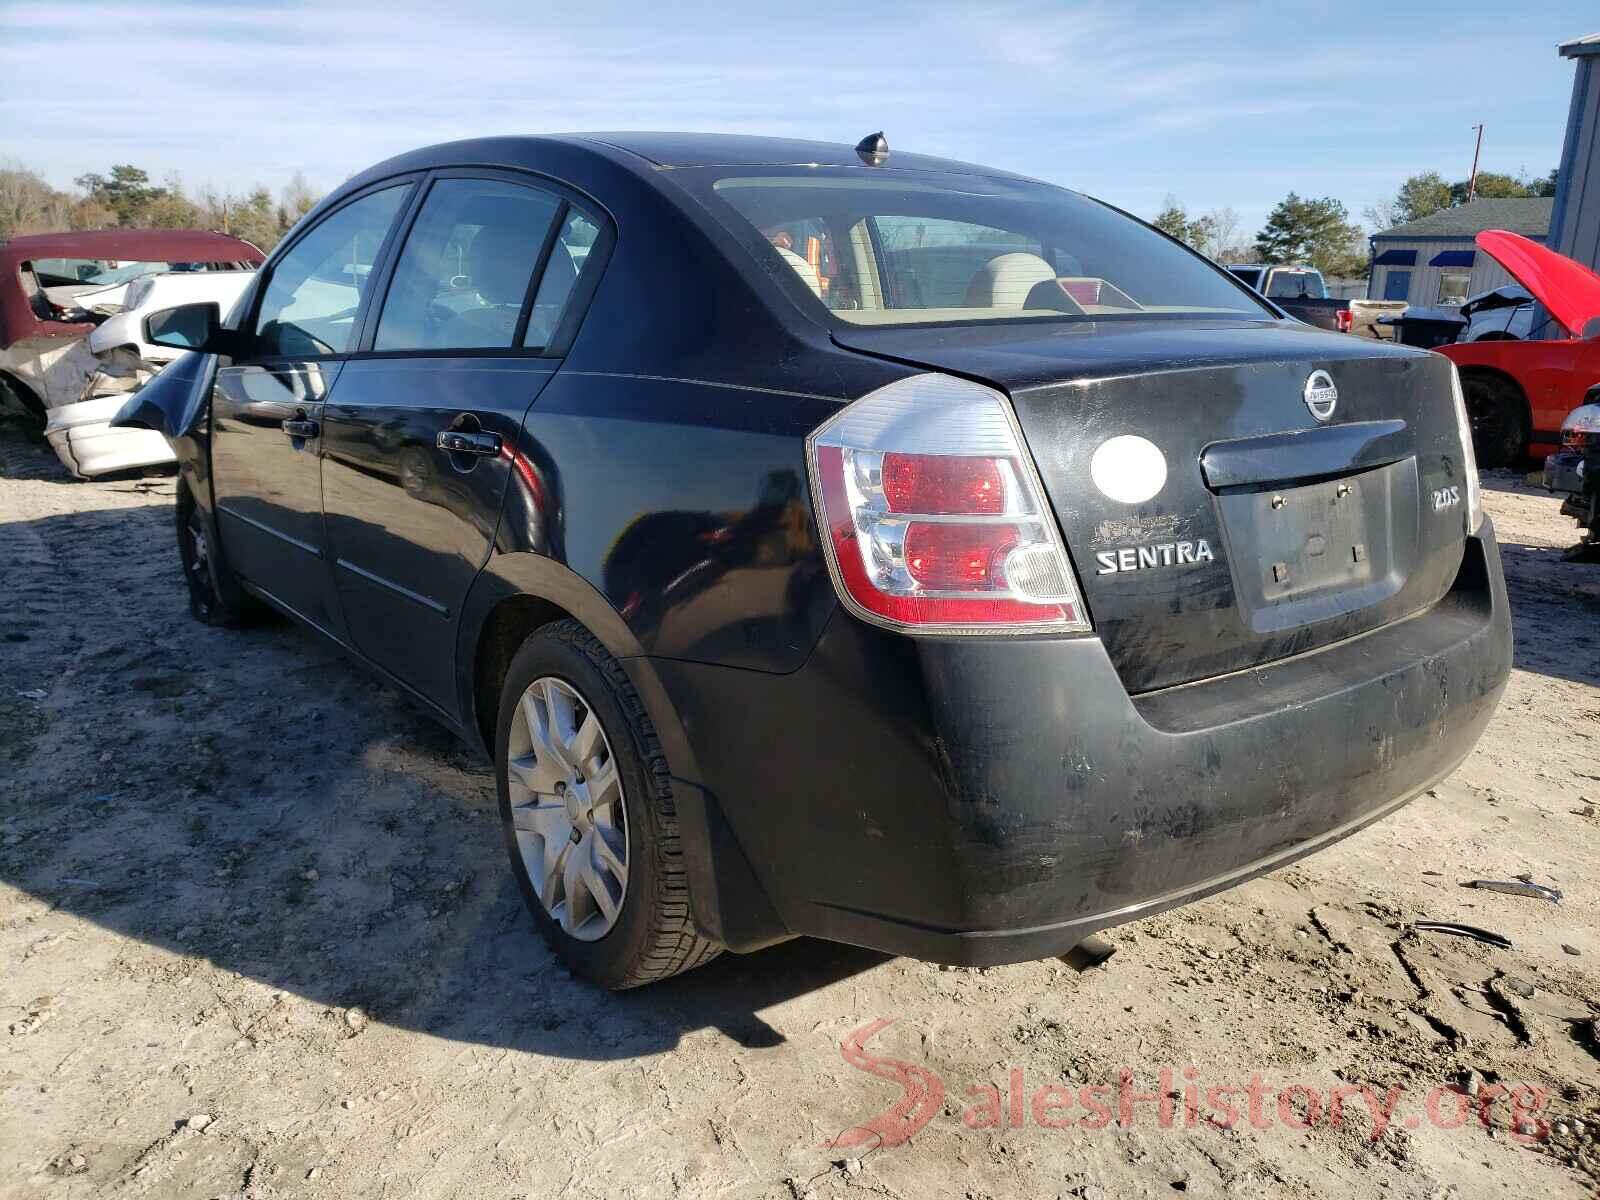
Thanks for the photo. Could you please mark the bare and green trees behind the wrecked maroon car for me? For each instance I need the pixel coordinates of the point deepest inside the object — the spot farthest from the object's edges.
(126, 198)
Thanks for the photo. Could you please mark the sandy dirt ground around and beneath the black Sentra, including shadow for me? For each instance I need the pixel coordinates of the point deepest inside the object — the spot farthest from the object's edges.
(258, 938)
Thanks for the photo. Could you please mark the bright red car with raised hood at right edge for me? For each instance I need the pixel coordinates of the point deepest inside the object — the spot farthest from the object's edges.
(1521, 391)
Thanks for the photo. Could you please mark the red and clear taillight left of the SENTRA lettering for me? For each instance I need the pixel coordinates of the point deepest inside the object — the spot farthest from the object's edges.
(934, 516)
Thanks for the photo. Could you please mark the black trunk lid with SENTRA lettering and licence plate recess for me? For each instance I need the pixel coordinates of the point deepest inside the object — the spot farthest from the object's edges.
(1274, 532)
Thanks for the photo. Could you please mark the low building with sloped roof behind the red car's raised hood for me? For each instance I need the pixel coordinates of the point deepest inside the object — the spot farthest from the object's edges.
(1436, 263)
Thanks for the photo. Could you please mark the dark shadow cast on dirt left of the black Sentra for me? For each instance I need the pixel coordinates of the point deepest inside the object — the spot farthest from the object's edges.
(257, 801)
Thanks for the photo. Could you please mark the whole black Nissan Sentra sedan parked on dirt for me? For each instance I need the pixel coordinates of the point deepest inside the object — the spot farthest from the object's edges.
(834, 542)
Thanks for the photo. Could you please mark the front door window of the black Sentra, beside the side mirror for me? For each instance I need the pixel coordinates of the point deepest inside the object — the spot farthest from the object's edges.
(316, 290)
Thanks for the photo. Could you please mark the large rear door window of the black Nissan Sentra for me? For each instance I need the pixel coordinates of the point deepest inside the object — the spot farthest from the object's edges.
(463, 278)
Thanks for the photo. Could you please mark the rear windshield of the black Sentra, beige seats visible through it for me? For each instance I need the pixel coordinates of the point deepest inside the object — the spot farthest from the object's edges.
(932, 249)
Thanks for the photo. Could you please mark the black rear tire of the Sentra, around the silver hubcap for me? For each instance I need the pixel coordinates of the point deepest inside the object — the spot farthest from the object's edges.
(654, 937)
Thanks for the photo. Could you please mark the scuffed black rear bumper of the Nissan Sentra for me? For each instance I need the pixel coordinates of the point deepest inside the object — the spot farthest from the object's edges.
(1001, 799)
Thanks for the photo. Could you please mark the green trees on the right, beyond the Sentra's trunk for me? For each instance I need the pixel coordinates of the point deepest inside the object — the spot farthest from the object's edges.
(1321, 231)
